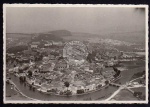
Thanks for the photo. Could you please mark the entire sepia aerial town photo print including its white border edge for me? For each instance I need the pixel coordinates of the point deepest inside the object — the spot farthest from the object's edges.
(75, 53)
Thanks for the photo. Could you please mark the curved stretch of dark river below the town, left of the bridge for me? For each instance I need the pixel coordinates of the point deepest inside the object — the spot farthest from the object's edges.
(40, 96)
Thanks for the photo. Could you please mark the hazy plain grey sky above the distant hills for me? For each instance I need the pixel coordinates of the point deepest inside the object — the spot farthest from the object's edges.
(96, 20)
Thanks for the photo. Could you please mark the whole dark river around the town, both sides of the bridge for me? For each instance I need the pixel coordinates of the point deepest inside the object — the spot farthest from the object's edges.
(97, 95)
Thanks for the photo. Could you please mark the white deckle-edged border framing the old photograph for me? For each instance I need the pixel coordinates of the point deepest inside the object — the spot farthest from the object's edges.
(73, 5)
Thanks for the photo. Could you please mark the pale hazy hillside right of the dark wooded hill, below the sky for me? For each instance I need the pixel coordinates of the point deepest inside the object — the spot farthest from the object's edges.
(131, 37)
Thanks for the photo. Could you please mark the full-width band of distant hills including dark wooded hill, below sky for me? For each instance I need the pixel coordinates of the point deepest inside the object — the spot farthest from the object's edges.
(59, 35)
